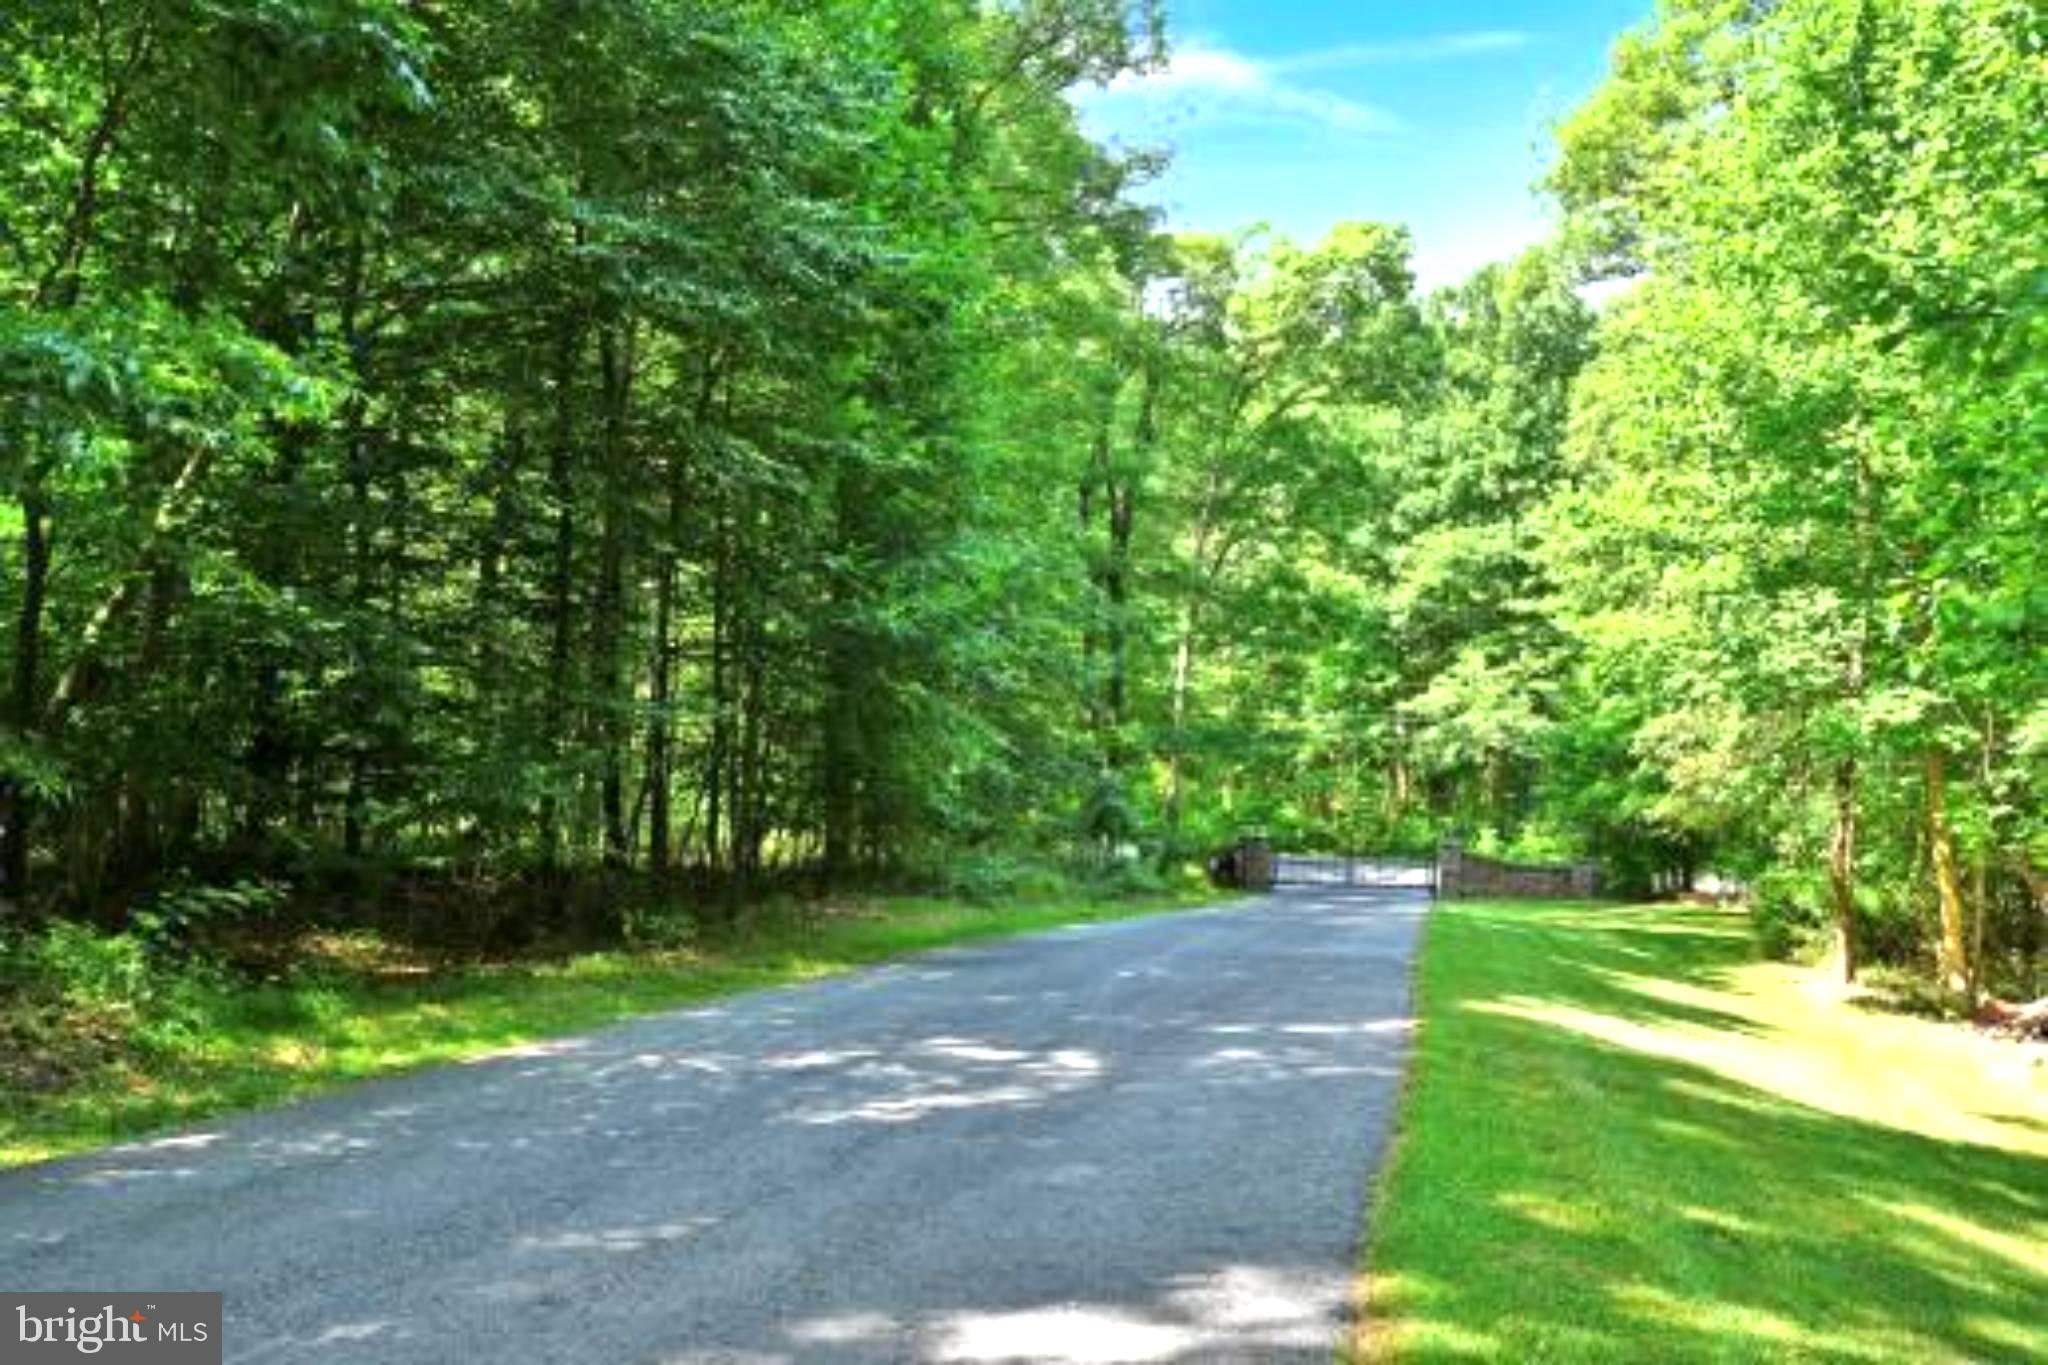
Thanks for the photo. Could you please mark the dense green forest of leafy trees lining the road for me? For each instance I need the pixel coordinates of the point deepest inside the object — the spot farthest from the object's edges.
(515, 459)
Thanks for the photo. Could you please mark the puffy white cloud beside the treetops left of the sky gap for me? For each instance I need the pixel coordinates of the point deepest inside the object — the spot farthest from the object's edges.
(1215, 85)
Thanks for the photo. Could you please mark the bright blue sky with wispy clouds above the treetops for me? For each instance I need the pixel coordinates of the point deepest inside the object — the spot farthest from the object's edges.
(1306, 114)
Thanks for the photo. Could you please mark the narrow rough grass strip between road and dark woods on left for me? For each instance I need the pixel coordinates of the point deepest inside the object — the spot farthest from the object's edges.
(357, 1010)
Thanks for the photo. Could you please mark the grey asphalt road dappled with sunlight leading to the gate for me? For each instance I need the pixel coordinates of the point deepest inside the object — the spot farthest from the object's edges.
(1144, 1141)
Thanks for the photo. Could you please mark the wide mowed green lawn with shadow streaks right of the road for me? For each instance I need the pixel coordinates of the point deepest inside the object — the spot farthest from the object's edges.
(1629, 1141)
